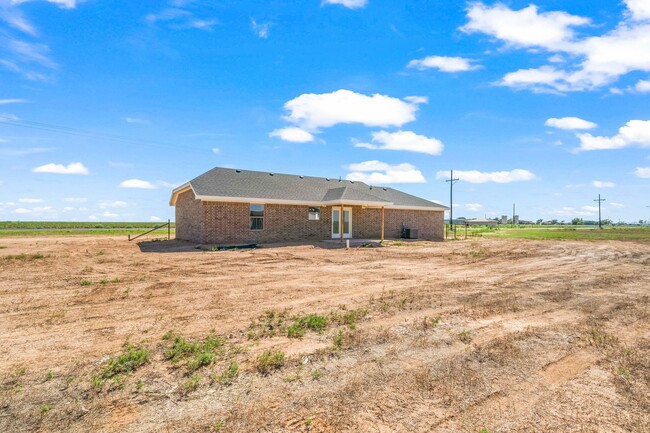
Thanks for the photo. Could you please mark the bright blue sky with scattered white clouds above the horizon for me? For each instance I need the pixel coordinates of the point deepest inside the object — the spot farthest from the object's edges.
(106, 106)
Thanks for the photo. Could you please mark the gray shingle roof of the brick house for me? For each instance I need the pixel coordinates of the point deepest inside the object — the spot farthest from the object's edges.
(227, 182)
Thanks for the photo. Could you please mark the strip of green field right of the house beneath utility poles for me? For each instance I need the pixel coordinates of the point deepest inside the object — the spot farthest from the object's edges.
(559, 232)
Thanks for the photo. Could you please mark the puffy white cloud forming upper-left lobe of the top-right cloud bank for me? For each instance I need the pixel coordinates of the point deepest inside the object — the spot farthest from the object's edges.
(523, 28)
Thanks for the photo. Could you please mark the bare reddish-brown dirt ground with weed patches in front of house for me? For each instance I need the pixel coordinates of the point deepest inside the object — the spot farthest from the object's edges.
(482, 335)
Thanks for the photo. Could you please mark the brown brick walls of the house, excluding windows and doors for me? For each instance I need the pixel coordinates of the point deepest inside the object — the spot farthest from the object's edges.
(229, 223)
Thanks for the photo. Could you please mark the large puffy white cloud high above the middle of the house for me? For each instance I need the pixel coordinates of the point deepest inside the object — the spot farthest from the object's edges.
(313, 111)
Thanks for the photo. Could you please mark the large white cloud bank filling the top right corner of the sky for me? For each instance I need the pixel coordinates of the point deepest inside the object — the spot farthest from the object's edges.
(592, 62)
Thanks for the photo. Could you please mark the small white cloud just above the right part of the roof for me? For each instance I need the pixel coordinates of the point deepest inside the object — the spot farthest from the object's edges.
(378, 173)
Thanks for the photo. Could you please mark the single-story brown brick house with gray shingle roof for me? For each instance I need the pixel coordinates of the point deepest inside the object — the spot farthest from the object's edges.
(228, 206)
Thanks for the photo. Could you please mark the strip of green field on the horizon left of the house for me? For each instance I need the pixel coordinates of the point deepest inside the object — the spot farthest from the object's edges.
(65, 228)
